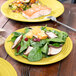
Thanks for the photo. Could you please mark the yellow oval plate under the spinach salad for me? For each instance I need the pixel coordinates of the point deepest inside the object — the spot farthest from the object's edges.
(52, 59)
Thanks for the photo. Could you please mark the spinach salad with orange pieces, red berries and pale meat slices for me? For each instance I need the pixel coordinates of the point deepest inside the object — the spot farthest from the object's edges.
(37, 43)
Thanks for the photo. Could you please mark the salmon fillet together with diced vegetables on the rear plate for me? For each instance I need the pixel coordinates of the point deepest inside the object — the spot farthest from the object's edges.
(29, 8)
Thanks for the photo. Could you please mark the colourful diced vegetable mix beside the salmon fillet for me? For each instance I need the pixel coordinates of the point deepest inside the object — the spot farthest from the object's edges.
(19, 5)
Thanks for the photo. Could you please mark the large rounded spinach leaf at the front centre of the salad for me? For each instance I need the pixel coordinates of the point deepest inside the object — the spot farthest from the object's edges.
(35, 54)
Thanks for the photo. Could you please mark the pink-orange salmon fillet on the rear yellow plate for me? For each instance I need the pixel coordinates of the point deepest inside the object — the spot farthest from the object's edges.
(36, 11)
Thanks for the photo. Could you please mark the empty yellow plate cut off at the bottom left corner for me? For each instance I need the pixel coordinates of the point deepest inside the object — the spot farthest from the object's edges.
(6, 68)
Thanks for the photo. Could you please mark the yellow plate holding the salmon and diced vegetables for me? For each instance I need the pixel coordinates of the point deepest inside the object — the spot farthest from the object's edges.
(57, 10)
